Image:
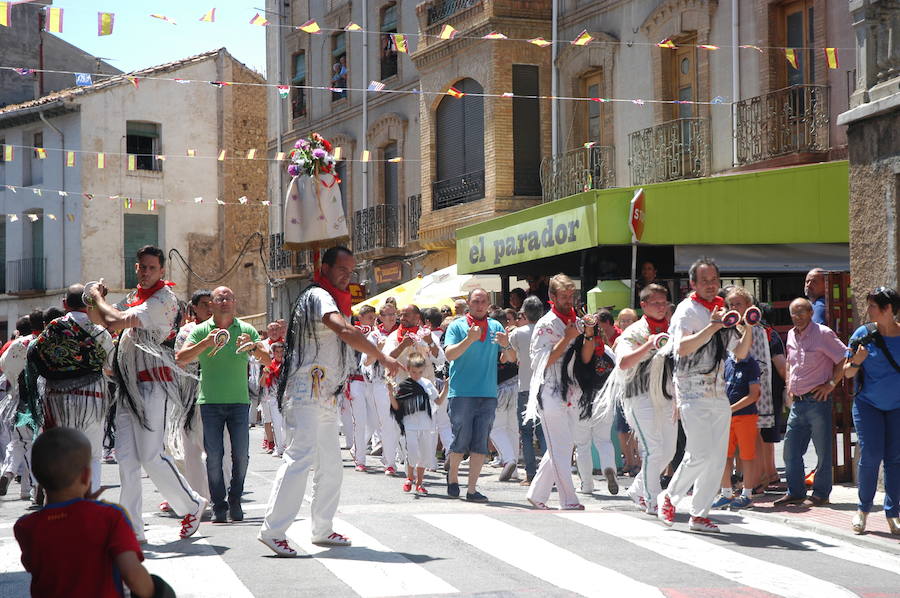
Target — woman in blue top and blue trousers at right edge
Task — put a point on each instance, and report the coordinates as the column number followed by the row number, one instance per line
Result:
column 872, row 361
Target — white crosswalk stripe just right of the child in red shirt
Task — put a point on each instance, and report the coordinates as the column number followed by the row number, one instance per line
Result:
column 196, row 570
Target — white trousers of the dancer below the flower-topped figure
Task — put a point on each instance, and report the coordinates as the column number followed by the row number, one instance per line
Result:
column 312, row 443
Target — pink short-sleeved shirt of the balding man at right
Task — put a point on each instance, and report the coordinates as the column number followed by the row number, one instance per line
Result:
column 811, row 357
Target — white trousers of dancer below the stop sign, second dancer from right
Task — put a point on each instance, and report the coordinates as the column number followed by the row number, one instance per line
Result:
column 657, row 435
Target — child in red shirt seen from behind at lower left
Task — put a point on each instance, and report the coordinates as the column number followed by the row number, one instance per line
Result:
column 77, row 546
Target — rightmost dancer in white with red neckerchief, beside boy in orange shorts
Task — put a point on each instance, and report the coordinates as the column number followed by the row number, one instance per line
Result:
column 700, row 346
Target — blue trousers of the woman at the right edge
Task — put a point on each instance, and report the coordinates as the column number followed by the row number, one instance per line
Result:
column 878, row 436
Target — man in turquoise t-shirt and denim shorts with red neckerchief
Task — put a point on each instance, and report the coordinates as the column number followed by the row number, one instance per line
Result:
column 471, row 346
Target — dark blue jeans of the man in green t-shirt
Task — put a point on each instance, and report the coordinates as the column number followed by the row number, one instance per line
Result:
column 215, row 418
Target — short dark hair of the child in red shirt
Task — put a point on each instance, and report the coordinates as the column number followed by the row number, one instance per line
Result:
column 58, row 457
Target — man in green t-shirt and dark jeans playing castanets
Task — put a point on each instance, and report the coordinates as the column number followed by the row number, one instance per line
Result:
column 224, row 397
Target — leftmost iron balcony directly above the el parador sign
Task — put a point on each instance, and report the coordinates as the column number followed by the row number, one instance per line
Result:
column 577, row 171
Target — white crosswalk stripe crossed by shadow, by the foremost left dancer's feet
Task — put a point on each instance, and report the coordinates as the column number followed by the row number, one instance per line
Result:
column 369, row 567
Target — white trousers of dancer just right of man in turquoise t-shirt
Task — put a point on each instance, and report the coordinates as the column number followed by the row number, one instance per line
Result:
column 558, row 421
